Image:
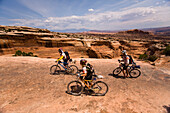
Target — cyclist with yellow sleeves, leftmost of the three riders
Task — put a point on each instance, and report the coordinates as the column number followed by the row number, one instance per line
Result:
column 62, row 56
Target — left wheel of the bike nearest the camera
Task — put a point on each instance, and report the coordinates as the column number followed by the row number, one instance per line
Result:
column 72, row 89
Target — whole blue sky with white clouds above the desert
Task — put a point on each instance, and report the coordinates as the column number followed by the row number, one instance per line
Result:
column 66, row 15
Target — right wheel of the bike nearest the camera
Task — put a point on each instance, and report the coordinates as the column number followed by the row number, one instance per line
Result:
column 96, row 88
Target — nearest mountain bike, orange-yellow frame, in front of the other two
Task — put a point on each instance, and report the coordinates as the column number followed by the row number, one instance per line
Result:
column 98, row 88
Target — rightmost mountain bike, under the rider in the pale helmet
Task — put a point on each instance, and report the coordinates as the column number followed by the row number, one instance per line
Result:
column 133, row 70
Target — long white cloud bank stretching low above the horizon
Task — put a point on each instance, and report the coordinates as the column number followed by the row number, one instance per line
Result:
column 110, row 20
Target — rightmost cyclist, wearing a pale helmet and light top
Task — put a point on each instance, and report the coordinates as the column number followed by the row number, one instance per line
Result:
column 125, row 60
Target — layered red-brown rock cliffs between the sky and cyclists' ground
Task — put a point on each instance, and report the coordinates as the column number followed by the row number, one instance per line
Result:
column 45, row 43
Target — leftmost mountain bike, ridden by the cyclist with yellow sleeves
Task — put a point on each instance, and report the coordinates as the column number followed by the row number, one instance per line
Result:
column 69, row 69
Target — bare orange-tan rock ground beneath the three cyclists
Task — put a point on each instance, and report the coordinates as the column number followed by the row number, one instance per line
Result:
column 26, row 86
